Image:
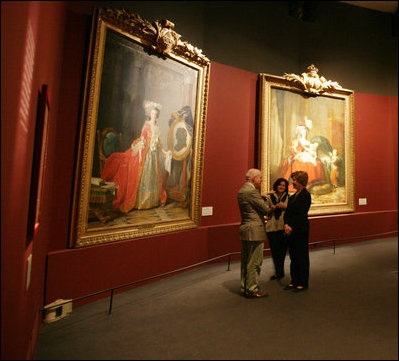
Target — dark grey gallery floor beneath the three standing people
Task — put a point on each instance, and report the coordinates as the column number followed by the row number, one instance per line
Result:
column 349, row 312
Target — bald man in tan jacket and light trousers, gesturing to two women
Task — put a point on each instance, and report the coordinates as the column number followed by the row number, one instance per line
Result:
column 253, row 208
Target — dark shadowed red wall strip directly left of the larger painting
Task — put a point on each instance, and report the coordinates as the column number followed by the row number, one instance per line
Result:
column 66, row 131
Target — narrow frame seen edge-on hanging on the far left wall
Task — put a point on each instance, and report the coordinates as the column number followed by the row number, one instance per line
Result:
column 38, row 164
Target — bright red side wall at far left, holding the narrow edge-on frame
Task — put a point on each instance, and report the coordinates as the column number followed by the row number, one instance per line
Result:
column 32, row 41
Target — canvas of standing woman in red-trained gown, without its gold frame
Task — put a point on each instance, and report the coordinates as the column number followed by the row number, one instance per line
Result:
column 133, row 81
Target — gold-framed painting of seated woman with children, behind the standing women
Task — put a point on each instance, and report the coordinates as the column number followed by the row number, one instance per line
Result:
column 306, row 123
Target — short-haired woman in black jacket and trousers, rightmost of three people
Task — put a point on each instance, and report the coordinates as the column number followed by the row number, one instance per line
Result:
column 296, row 228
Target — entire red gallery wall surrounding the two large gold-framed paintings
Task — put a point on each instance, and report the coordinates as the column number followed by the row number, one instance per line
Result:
column 59, row 34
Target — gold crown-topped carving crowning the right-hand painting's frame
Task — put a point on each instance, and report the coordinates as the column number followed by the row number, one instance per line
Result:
column 311, row 82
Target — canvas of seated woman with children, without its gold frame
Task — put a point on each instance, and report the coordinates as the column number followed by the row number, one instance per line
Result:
column 308, row 134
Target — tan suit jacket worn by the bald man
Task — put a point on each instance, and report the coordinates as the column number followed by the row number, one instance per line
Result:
column 252, row 209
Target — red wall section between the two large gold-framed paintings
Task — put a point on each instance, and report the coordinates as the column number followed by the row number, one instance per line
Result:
column 230, row 136
